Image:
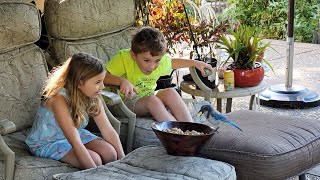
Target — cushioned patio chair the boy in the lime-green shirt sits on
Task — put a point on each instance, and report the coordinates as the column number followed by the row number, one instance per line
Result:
column 100, row 31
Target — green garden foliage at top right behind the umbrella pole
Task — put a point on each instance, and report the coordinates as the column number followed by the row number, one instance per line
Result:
column 270, row 17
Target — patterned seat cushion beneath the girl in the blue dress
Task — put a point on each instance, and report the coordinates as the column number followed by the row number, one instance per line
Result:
column 27, row 166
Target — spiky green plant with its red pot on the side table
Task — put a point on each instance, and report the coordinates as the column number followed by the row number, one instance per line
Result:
column 243, row 49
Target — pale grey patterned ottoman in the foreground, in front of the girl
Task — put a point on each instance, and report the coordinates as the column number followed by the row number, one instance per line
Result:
column 153, row 162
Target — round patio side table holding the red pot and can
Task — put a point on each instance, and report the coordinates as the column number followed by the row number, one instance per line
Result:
column 220, row 93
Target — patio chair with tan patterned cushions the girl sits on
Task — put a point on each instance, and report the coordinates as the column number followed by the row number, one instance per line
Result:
column 23, row 70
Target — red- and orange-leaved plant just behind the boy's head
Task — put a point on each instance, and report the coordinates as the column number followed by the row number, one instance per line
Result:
column 175, row 19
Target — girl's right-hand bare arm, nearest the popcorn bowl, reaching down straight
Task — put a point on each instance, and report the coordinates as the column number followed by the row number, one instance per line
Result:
column 108, row 132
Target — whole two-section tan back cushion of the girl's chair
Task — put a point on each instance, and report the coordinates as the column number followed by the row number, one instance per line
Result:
column 22, row 65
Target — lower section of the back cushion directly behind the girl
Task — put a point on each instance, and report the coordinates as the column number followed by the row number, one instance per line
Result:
column 20, row 89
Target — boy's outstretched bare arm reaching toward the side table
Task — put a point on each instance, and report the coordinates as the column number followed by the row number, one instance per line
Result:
column 178, row 63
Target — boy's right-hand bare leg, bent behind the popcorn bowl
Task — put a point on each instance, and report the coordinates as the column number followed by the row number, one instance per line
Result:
column 171, row 99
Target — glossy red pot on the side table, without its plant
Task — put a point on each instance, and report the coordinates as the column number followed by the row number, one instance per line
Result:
column 248, row 77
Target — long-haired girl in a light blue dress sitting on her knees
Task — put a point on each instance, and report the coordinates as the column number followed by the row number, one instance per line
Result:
column 70, row 95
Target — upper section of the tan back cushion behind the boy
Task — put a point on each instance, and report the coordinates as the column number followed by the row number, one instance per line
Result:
column 81, row 19
